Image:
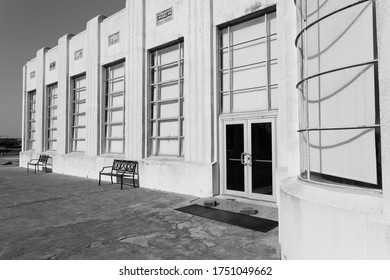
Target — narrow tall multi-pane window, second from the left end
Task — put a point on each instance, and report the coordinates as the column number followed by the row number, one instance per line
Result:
column 52, row 117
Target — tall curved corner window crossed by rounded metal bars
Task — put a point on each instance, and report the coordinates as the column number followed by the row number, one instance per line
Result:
column 338, row 91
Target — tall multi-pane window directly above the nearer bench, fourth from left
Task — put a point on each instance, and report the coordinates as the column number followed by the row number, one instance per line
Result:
column 114, row 113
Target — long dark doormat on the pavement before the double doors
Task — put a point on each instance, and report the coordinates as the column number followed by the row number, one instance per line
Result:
column 231, row 218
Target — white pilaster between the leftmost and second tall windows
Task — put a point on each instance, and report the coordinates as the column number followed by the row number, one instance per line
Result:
column 40, row 132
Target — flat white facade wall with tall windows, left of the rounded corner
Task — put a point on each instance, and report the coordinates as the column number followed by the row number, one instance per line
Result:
column 196, row 22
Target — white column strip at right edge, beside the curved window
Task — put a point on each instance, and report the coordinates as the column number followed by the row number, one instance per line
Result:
column 383, row 33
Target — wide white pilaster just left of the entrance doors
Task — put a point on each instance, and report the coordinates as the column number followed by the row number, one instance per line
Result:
column 198, row 88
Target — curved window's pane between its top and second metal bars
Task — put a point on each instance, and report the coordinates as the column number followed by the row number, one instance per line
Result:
column 342, row 39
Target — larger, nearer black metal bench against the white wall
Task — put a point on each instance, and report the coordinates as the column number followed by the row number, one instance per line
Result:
column 121, row 169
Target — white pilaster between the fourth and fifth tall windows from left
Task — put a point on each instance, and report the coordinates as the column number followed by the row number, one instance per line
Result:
column 135, row 78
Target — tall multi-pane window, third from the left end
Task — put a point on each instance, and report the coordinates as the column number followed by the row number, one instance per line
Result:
column 78, row 114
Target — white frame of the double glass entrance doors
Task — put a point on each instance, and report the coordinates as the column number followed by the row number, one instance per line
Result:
column 247, row 121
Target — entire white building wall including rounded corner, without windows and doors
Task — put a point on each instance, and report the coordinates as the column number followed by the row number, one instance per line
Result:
column 316, row 221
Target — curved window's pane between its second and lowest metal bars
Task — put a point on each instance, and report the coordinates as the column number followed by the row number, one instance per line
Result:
column 344, row 98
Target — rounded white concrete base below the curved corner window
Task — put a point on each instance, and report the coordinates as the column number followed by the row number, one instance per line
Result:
column 327, row 222
